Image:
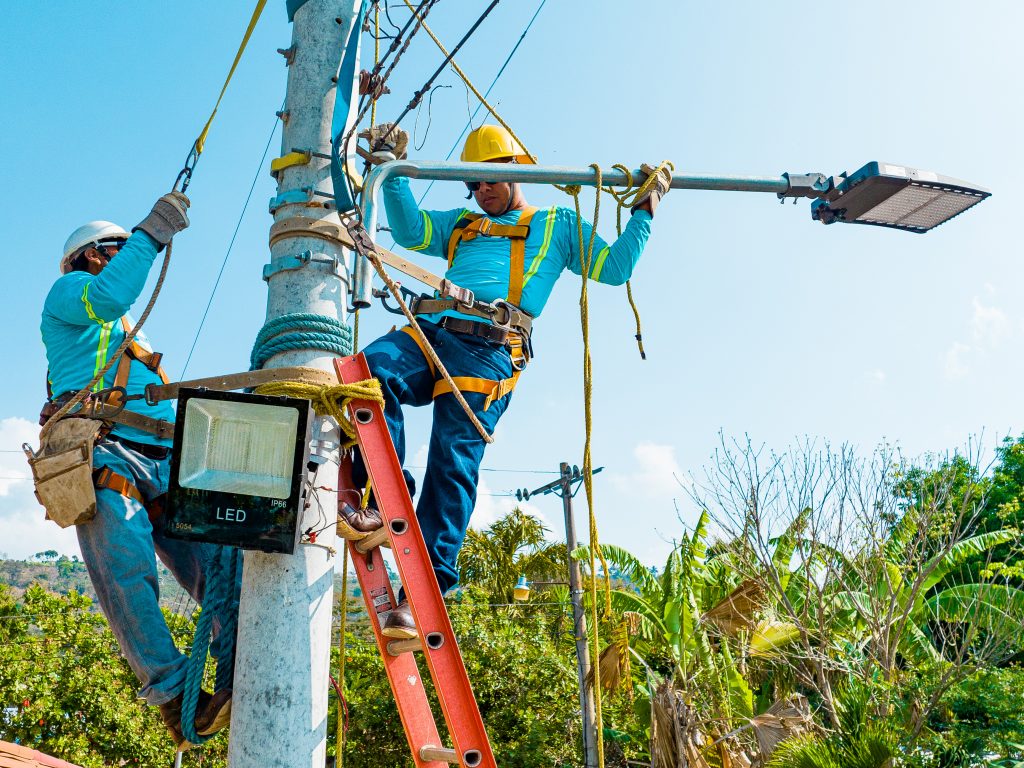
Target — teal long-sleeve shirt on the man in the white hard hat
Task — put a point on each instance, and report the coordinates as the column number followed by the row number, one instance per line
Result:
column 81, row 328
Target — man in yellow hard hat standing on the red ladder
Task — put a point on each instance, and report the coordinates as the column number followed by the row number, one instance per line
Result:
column 510, row 258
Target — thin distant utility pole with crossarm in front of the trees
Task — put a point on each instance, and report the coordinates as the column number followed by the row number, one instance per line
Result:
column 564, row 488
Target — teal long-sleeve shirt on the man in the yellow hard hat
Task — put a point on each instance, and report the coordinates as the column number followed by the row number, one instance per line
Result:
column 483, row 265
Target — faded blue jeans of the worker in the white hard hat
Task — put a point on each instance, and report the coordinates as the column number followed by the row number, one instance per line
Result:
column 120, row 548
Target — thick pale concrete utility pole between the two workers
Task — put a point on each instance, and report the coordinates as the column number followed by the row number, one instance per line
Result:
column 280, row 710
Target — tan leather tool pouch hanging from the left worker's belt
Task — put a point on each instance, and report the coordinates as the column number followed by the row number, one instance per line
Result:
column 63, row 472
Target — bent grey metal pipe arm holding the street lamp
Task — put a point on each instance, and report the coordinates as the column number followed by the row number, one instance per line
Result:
column 786, row 186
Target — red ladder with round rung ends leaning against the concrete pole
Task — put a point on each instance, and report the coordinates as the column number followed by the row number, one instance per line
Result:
column 437, row 641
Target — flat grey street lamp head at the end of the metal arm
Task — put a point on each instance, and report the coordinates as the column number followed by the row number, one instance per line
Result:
column 898, row 197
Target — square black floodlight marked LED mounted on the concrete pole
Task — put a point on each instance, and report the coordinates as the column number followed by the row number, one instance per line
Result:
column 238, row 468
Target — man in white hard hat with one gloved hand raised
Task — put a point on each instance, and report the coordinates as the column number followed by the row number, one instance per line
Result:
column 86, row 320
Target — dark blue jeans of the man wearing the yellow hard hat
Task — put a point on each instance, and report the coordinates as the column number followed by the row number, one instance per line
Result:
column 456, row 448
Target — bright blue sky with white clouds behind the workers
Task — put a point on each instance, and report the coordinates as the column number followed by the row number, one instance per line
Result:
column 757, row 321
